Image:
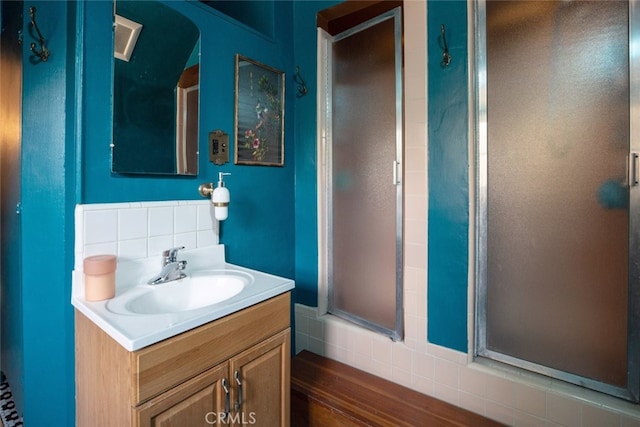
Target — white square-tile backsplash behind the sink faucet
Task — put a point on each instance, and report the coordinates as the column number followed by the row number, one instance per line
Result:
column 142, row 229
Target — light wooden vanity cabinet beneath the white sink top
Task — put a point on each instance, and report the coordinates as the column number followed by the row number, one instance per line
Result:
column 240, row 363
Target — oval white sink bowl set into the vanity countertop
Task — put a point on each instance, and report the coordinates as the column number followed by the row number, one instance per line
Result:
column 199, row 289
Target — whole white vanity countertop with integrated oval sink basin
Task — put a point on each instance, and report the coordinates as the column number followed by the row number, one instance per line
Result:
column 141, row 314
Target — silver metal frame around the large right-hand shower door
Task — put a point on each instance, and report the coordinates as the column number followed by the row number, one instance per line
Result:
column 479, row 139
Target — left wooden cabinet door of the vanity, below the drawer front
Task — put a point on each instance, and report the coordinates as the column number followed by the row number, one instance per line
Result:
column 197, row 402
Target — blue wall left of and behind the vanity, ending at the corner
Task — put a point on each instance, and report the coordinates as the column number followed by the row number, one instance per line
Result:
column 66, row 160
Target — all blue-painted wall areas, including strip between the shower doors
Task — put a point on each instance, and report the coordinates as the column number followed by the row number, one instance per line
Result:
column 272, row 224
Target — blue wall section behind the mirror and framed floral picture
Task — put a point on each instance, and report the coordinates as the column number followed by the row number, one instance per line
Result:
column 260, row 230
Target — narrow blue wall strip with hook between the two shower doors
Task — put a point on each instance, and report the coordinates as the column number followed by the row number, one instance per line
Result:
column 448, row 170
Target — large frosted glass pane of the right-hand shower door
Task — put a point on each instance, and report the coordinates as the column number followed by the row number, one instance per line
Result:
column 555, row 209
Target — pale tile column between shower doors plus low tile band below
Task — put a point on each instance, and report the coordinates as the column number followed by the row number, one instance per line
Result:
column 512, row 397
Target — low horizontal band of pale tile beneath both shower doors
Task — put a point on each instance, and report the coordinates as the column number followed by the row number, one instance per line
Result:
column 511, row 397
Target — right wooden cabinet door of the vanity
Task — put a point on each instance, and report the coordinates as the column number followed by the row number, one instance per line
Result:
column 260, row 380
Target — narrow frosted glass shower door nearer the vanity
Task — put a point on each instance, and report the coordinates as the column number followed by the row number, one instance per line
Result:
column 364, row 230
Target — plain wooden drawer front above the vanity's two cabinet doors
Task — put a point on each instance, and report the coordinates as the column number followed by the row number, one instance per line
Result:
column 170, row 362
